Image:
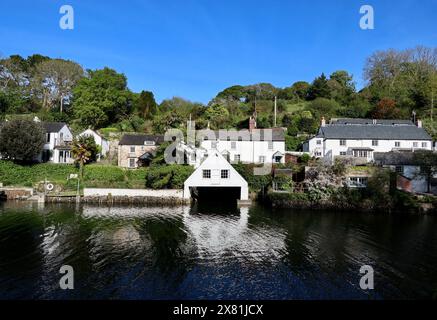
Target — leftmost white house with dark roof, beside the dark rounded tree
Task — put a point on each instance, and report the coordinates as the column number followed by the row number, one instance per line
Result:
column 57, row 148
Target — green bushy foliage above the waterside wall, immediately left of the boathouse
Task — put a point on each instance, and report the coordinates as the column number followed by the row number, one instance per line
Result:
column 168, row 176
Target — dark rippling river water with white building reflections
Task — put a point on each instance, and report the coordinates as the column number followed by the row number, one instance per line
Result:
column 213, row 252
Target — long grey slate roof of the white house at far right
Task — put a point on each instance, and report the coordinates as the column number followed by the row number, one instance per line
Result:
column 384, row 130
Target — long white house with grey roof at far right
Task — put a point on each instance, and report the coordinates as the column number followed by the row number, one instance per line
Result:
column 361, row 138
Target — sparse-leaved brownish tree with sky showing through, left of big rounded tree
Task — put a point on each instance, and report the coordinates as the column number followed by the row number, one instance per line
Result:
column 55, row 79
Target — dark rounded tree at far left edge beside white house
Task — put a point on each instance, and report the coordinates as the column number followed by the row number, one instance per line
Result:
column 21, row 140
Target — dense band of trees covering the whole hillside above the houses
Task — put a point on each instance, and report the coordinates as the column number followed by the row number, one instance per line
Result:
column 398, row 82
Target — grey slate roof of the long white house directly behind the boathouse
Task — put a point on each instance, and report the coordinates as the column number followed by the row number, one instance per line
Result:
column 277, row 134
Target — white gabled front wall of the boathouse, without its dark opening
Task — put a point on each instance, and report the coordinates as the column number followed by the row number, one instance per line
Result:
column 216, row 172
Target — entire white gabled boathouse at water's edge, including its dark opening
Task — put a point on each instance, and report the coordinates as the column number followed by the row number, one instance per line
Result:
column 216, row 176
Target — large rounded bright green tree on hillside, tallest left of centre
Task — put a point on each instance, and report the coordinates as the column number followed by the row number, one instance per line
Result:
column 105, row 93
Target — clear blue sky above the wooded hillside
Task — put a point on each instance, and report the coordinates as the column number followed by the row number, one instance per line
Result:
column 194, row 49
